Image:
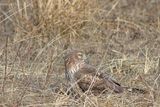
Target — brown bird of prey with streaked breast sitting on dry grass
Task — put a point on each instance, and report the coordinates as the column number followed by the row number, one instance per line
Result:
column 80, row 74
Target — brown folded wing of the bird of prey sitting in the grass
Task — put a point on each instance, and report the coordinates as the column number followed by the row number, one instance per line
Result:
column 89, row 78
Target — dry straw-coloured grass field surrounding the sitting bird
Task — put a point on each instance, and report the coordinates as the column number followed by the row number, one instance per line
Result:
column 120, row 37
